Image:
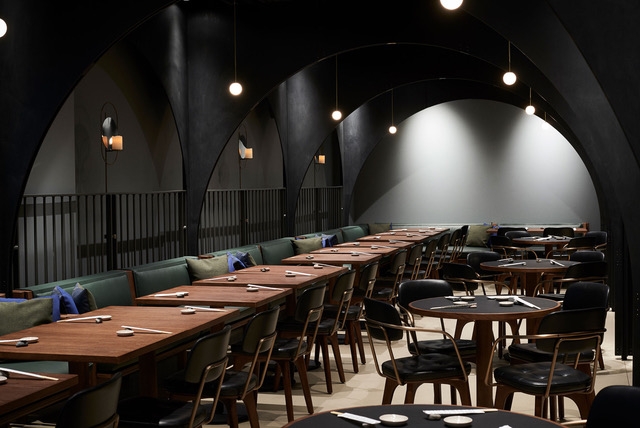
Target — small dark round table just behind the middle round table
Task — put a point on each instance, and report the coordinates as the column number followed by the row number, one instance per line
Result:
column 529, row 271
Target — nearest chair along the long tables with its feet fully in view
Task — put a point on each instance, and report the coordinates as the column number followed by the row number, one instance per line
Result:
column 296, row 336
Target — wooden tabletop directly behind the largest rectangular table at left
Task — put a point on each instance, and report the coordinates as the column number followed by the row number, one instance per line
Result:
column 215, row 296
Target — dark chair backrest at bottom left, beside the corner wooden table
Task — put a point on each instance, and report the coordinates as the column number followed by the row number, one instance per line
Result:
column 93, row 407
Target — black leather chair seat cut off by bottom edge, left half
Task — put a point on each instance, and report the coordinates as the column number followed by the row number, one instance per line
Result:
column 149, row 411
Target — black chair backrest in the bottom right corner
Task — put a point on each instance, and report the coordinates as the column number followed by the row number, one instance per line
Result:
column 614, row 406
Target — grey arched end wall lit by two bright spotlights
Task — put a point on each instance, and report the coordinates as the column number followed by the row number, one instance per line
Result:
column 475, row 161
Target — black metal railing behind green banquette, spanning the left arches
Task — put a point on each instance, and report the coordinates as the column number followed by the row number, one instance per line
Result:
column 65, row 236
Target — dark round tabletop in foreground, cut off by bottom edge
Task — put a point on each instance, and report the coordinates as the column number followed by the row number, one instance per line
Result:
column 417, row 418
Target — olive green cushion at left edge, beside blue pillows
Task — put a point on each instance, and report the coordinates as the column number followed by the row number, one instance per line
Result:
column 18, row 316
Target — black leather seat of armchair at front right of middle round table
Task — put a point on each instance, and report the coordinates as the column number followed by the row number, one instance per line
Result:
column 531, row 378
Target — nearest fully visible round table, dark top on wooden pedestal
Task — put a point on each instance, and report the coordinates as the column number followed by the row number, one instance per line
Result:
column 487, row 311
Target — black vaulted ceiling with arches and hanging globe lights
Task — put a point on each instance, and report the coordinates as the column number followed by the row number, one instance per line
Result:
column 579, row 57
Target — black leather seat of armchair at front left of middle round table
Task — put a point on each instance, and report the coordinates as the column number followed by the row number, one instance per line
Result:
column 425, row 367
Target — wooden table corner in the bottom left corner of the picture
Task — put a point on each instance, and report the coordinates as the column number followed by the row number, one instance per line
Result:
column 22, row 395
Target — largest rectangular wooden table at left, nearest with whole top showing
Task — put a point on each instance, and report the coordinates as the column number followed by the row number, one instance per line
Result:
column 84, row 344
